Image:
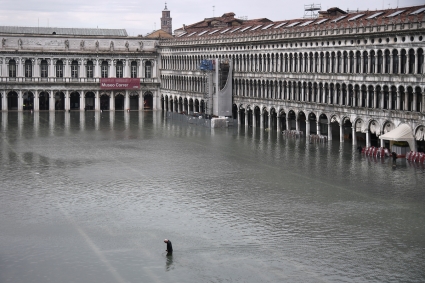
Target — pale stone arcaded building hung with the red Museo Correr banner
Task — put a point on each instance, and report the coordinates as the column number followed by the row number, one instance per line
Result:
column 61, row 69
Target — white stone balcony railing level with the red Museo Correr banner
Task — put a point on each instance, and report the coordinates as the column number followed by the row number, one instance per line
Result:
column 64, row 80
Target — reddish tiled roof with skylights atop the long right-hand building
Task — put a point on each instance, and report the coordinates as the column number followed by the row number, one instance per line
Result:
column 227, row 25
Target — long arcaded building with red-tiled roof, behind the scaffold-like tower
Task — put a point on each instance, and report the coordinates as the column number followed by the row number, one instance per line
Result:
column 343, row 75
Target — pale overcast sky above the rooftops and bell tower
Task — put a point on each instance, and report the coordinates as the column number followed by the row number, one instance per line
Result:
column 142, row 16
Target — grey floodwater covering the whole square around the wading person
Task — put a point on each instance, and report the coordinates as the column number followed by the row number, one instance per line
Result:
column 90, row 197
